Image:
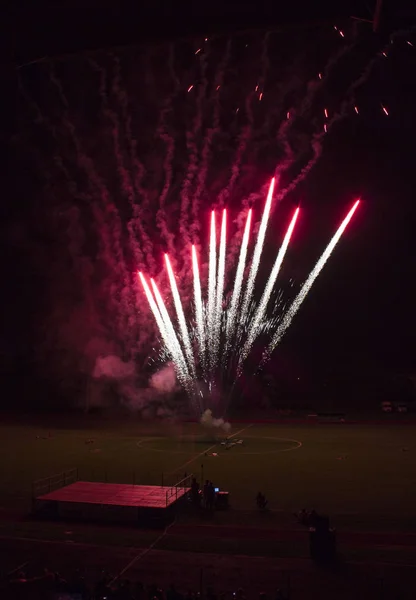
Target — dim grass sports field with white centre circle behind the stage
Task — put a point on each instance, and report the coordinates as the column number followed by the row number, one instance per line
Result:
column 339, row 469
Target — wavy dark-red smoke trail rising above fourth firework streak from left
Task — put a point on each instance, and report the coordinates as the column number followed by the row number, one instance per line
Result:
column 206, row 148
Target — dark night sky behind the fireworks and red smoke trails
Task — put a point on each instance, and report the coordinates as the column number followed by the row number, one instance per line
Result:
column 358, row 322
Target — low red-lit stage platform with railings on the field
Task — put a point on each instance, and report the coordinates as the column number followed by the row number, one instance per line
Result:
column 146, row 505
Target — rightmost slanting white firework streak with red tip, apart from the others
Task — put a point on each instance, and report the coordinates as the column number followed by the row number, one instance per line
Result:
column 297, row 303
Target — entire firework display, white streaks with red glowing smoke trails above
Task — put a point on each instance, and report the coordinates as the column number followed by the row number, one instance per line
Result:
column 171, row 160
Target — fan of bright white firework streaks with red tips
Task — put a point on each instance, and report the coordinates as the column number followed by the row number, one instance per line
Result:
column 210, row 348
